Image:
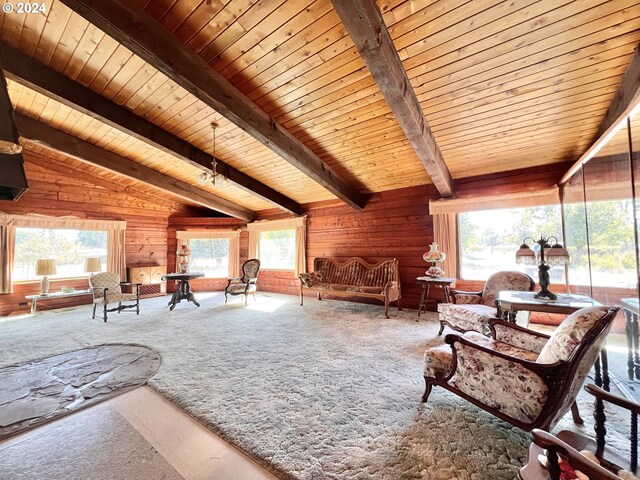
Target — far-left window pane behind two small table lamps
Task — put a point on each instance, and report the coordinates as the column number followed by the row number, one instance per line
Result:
column 69, row 248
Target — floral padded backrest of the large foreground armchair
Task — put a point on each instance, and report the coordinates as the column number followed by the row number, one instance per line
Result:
column 570, row 333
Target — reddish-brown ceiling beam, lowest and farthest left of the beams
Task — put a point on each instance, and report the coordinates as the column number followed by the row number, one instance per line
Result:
column 81, row 150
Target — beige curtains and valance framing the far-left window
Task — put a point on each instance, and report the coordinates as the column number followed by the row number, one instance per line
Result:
column 116, row 258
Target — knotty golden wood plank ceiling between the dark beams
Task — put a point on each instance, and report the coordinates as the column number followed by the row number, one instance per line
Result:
column 503, row 84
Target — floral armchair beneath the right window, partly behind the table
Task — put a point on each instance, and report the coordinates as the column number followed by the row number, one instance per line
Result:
column 473, row 310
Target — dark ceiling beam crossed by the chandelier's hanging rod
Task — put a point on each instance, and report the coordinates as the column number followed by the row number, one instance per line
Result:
column 31, row 73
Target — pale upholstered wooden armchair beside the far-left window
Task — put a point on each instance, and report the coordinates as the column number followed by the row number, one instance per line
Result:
column 106, row 288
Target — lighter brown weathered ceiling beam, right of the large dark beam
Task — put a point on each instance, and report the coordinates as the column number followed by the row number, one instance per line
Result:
column 367, row 29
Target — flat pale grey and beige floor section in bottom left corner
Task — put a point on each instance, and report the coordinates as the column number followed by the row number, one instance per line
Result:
column 136, row 435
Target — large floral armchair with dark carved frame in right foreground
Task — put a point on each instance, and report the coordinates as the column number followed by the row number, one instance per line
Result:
column 523, row 377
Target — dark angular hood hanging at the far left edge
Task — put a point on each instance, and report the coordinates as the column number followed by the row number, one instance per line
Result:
column 13, row 181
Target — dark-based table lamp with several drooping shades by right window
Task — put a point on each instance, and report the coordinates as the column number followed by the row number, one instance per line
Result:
column 549, row 254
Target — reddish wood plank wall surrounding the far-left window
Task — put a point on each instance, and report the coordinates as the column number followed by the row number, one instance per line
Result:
column 58, row 189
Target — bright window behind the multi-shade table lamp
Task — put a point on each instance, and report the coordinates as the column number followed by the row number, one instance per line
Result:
column 489, row 239
